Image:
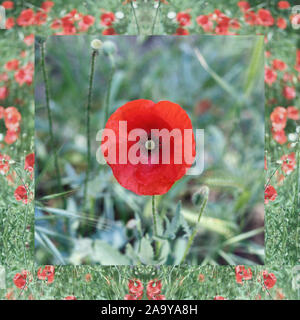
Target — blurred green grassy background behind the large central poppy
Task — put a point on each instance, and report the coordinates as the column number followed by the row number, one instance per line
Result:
column 223, row 94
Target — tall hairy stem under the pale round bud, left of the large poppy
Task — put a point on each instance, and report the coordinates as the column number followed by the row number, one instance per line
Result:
column 88, row 129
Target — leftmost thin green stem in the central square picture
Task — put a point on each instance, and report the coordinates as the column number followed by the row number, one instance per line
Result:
column 47, row 95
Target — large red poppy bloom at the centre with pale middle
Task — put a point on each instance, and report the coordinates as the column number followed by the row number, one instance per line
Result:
column 148, row 173
